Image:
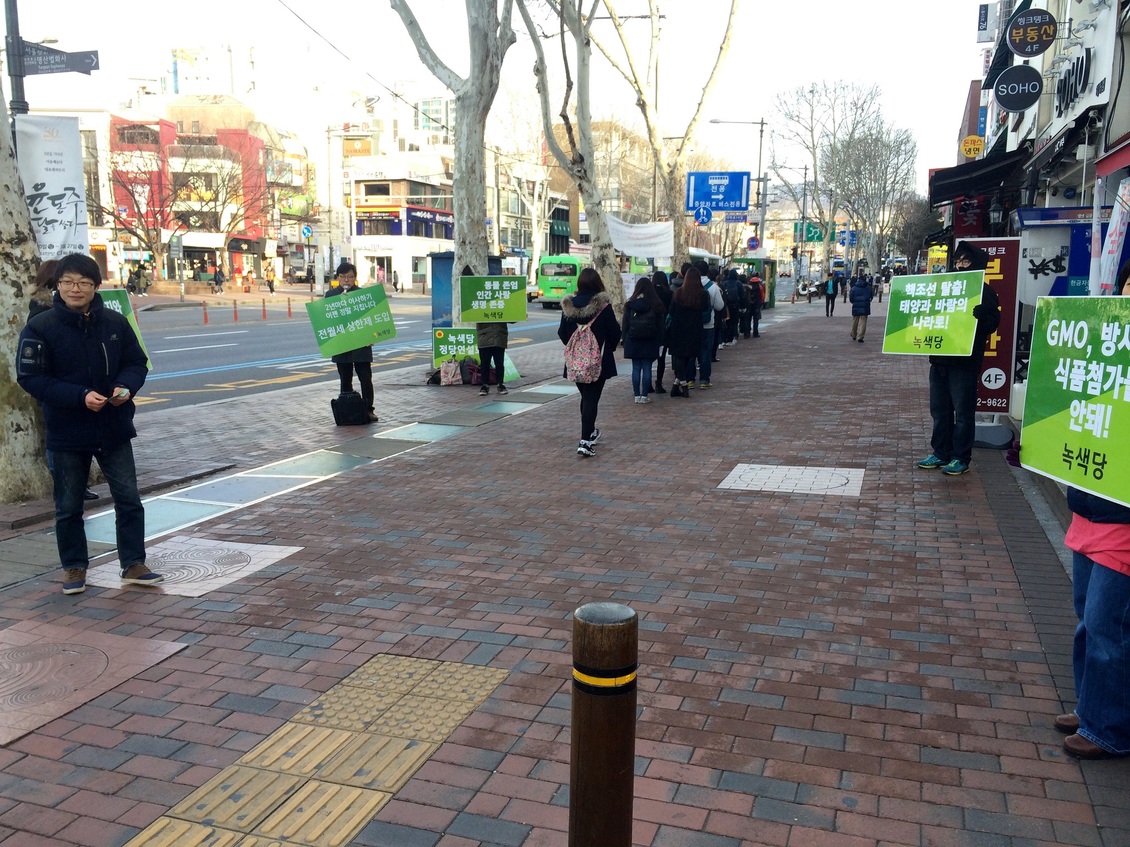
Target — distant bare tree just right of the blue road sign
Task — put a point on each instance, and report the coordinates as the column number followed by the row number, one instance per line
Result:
column 820, row 121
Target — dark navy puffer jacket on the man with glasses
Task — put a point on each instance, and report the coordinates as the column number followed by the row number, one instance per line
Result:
column 64, row 355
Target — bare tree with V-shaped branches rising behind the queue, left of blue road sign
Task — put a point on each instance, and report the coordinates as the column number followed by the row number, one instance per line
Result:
column 671, row 160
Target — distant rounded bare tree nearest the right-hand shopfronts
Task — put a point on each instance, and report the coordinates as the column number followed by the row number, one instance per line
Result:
column 874, row 174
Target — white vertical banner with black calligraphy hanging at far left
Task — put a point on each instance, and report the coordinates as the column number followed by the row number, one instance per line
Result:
column 50, row 160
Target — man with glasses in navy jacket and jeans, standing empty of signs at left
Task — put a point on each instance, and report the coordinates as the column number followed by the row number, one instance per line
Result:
column 84, row 364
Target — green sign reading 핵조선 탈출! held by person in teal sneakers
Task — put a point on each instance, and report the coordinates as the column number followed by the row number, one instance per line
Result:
column 933, row 315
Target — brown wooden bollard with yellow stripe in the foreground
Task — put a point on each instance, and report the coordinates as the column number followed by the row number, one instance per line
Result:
column 606, row 642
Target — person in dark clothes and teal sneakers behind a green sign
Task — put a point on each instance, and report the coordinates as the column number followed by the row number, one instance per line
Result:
column 954, row 379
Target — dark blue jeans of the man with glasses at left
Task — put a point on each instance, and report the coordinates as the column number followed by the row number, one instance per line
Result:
column 72, row 473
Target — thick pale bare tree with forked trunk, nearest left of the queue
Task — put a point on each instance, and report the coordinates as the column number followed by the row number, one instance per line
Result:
column 490, row 38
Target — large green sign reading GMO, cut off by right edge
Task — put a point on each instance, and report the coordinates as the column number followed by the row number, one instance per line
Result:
column 1077, row 408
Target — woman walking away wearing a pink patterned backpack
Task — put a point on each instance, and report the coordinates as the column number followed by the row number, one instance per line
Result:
column 590, row 308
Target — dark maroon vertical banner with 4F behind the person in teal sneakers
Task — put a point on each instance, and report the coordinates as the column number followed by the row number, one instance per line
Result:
column 1003, row 275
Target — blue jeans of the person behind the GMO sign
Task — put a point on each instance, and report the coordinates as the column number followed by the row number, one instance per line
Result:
column 1102, row 654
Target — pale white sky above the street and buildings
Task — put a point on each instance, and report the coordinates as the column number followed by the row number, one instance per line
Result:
column 314, row 60
